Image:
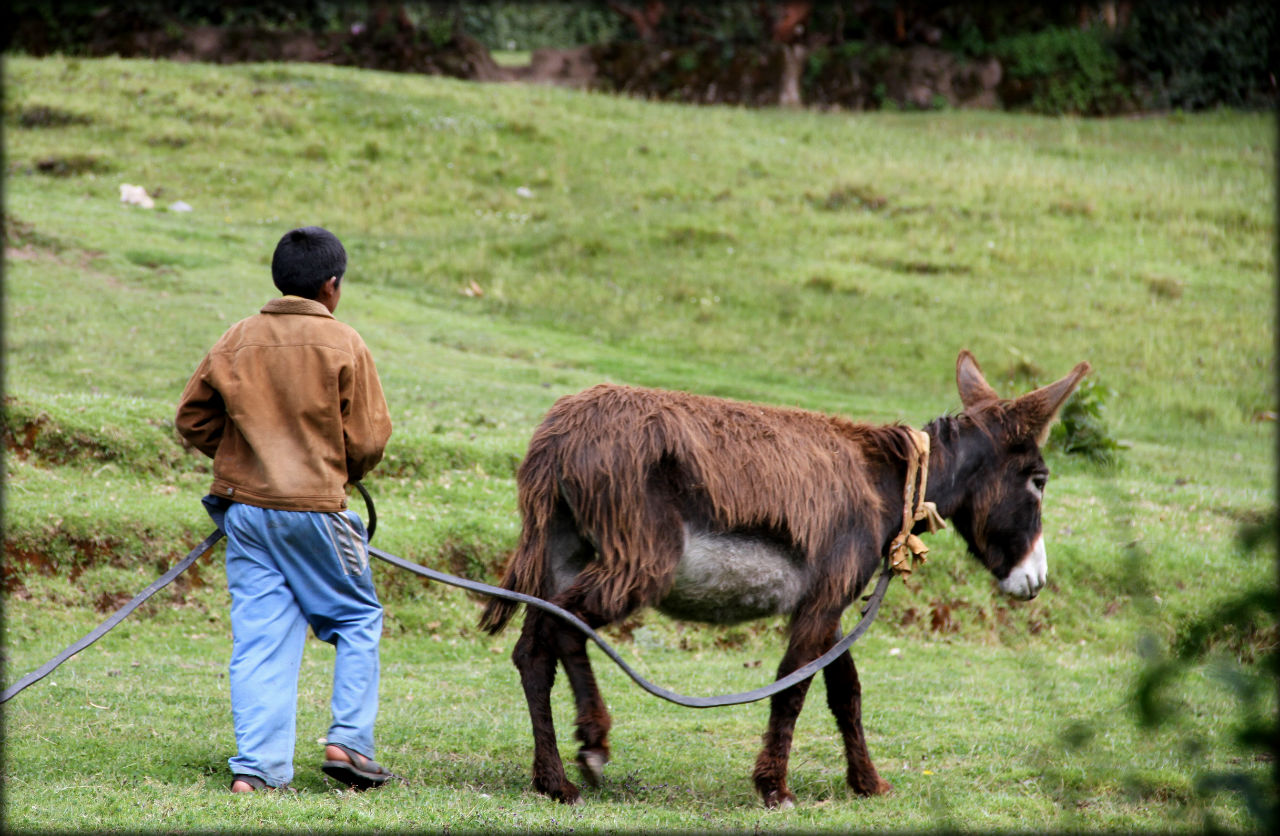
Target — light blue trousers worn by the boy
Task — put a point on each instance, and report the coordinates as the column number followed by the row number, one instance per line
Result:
column 287, row 570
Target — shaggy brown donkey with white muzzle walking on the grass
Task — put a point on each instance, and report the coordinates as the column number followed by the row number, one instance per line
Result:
column 723, row 511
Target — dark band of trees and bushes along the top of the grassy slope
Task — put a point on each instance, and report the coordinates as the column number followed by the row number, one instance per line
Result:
column 1080, row 58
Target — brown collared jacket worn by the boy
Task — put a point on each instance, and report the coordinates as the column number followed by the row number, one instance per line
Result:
column 290, row 408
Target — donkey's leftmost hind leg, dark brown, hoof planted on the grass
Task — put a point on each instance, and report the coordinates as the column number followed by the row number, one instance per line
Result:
column 536, row 660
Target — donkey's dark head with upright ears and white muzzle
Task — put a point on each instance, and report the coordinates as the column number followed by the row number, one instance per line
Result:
column 991, row 476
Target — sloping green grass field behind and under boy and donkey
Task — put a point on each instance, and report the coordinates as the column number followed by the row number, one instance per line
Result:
column 511, row 245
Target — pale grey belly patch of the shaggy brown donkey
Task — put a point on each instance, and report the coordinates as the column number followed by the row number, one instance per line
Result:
column 732, row 578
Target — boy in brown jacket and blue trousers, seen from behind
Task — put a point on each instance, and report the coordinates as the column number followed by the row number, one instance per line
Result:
column 290, row 408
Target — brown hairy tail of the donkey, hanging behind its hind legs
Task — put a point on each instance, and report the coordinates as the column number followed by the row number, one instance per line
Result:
column 527, row 568
